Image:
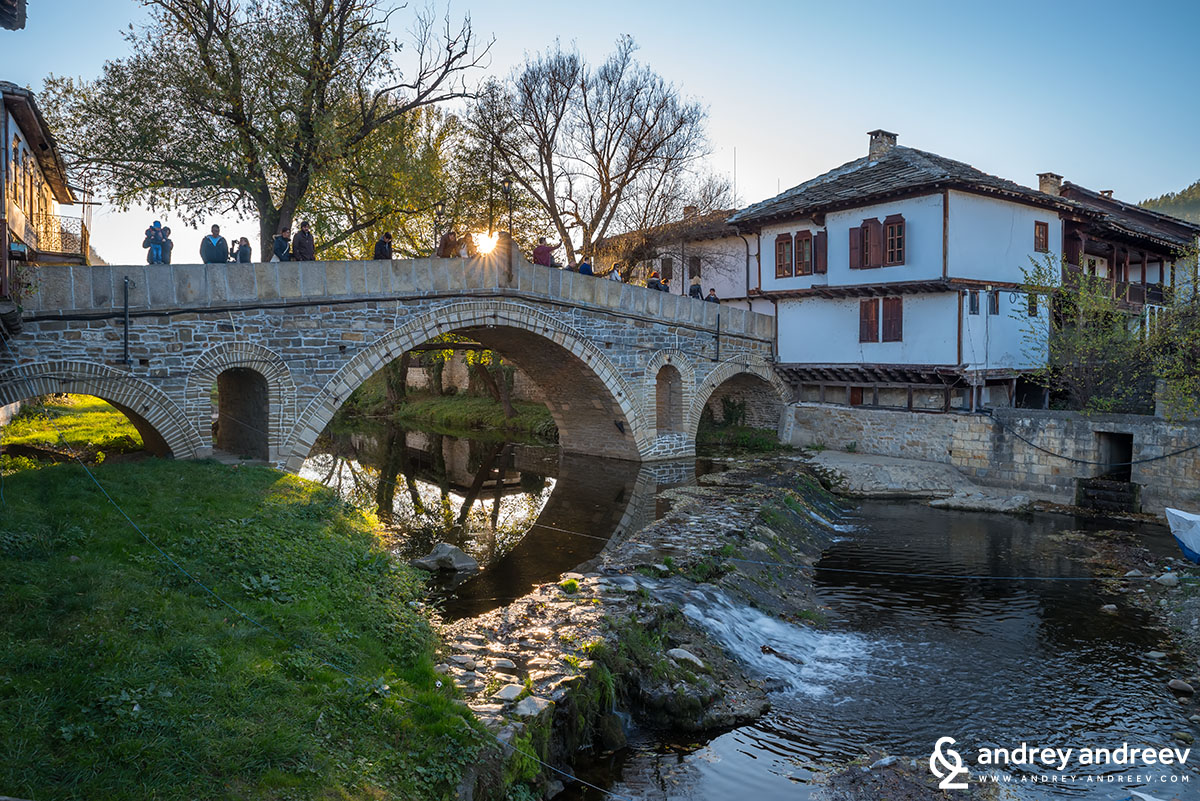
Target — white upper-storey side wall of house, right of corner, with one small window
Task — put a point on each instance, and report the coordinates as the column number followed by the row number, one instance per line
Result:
column 993, row 240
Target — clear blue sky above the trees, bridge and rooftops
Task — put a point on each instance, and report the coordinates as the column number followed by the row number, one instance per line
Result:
column 1107, row 94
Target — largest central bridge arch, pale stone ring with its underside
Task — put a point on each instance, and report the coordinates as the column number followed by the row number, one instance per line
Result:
column 587, row 395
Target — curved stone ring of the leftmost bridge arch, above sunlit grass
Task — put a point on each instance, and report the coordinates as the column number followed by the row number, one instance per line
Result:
column 163, row 425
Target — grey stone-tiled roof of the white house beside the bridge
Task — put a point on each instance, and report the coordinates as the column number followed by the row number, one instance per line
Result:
column 899, row 171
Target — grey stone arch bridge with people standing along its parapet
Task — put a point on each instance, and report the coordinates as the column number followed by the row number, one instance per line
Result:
column 275, row 350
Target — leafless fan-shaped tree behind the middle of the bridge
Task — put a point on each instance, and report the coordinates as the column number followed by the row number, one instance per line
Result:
column 598, row 148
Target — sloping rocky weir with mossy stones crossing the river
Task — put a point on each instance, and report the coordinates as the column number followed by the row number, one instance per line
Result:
column 574, row 665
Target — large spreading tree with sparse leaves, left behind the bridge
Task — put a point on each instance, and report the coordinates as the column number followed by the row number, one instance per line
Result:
column 229, row 107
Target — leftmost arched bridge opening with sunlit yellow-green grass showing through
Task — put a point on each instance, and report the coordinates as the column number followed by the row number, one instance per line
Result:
column 69, row 426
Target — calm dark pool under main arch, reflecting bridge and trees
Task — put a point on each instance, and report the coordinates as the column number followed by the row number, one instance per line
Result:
column 563, row 509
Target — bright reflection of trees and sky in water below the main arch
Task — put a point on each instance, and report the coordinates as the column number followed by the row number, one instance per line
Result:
column 424, row 501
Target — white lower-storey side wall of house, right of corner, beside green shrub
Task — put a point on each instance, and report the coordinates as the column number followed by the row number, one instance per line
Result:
column 1000, row 341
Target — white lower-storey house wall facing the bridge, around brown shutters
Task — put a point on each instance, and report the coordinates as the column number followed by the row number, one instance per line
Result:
column 826, row 332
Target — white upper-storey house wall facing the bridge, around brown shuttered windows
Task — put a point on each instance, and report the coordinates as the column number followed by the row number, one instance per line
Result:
column 923, row 245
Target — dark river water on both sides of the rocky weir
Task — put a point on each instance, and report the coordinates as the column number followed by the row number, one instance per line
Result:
column 911, row 652
